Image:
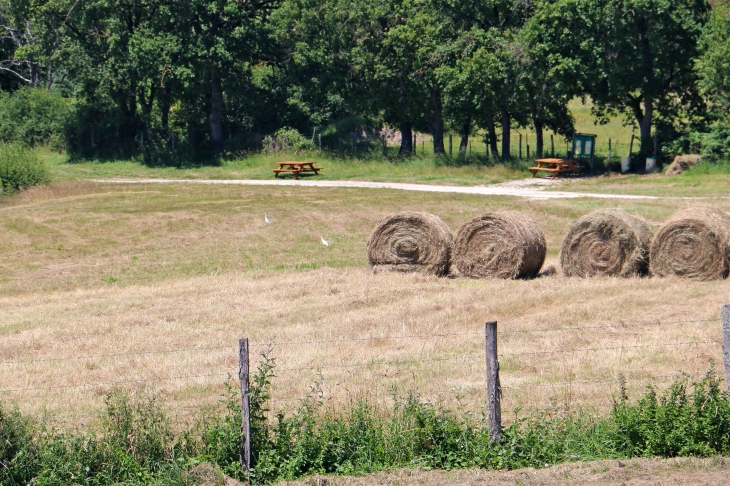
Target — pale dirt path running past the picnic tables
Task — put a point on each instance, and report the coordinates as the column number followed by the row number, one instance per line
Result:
column 528, row 188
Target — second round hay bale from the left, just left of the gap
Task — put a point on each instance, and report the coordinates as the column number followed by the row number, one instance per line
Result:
column 503, row 244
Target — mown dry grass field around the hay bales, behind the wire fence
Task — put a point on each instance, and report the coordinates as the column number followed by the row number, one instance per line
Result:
column 150, row 287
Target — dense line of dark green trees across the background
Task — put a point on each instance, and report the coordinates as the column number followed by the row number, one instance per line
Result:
column 206, row 75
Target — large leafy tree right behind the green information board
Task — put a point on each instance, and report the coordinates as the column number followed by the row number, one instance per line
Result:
column 636, row 56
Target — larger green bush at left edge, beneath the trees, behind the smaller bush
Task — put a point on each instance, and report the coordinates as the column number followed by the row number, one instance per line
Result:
column 34, row 117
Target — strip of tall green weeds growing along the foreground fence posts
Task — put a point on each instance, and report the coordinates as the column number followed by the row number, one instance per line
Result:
column 135, row 444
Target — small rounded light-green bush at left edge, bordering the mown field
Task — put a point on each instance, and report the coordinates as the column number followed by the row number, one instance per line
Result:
column 20, row 168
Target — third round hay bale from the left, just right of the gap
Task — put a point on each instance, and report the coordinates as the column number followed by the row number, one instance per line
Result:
column 608, row 242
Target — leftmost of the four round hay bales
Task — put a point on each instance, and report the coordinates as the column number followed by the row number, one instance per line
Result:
column 411, row 242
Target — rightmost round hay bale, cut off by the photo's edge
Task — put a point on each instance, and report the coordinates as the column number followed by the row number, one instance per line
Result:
column 693, row 243
